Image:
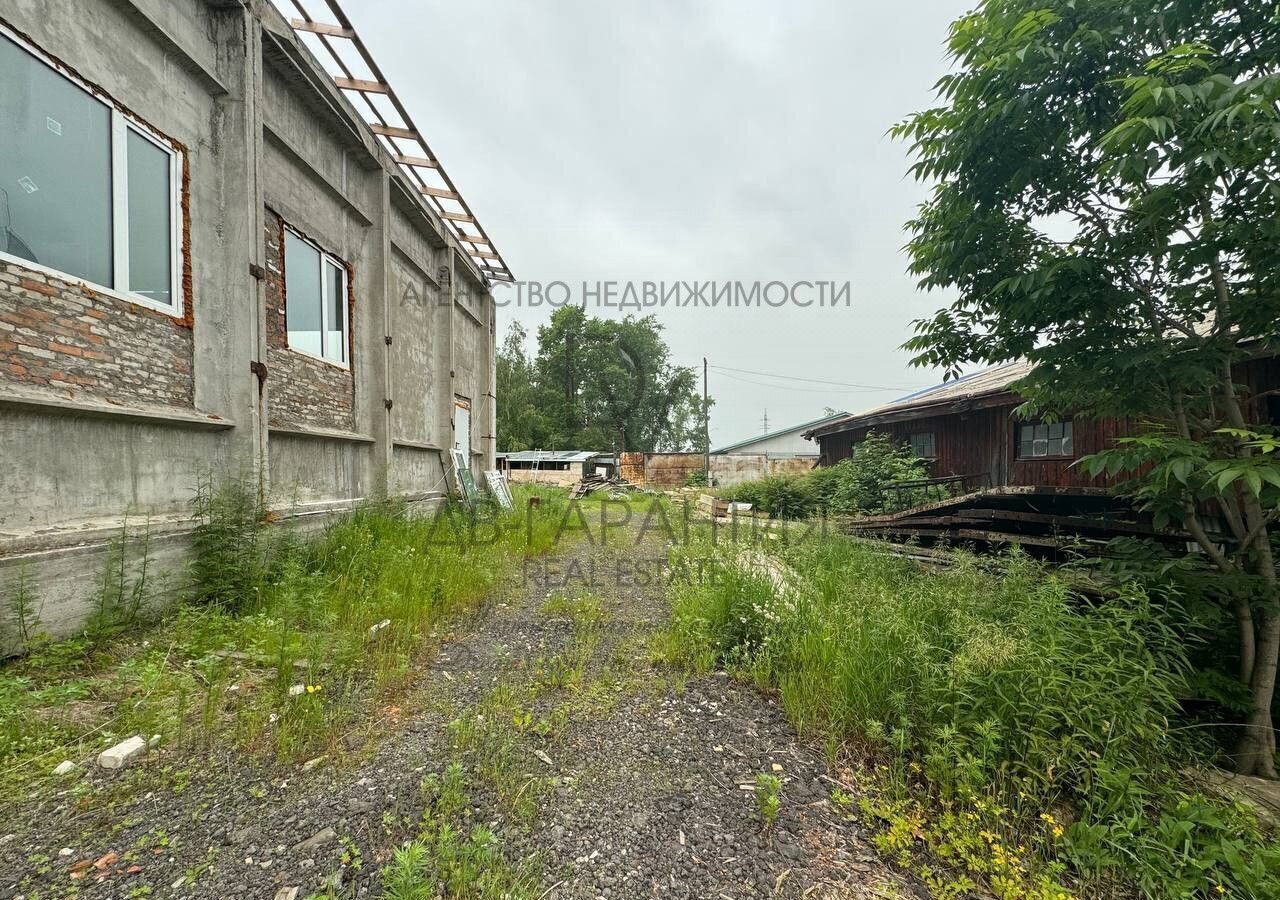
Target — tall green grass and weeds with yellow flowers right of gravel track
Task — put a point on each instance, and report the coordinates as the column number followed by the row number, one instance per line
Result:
column 1002, row 732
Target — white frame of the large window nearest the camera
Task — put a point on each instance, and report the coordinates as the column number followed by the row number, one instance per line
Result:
column 121, row 126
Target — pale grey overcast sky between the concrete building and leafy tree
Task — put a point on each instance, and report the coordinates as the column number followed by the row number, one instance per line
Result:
column 698, row 140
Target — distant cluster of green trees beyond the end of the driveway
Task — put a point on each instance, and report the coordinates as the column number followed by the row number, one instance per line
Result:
column 597, row 385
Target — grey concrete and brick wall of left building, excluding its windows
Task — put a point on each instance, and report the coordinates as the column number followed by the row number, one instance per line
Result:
column 109, row 410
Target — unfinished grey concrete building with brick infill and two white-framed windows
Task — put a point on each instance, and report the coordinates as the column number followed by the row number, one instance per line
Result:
column 212, row 263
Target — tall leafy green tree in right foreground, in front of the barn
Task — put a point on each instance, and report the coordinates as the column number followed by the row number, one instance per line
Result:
column 1107, row 204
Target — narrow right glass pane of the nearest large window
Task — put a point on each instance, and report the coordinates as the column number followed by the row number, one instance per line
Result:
column 150, row 229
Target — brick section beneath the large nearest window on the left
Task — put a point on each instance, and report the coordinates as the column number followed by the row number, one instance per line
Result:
column 62, row 335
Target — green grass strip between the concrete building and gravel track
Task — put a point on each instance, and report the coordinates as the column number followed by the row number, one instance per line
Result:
column 268, row 609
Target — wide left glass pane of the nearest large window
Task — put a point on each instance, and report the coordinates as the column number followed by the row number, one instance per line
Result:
column 56, row 170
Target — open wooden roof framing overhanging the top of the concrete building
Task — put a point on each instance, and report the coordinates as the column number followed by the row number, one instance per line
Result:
column 353, row 68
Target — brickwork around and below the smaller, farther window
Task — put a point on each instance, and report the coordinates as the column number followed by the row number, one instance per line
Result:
column 305, row 392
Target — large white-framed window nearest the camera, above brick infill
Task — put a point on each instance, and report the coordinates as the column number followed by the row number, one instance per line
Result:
column 85, row 191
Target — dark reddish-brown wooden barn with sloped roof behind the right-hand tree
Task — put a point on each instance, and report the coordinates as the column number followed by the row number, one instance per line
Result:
column 1000, row 479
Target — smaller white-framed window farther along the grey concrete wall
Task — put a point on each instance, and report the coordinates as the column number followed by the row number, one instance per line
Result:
column 316, row 300
